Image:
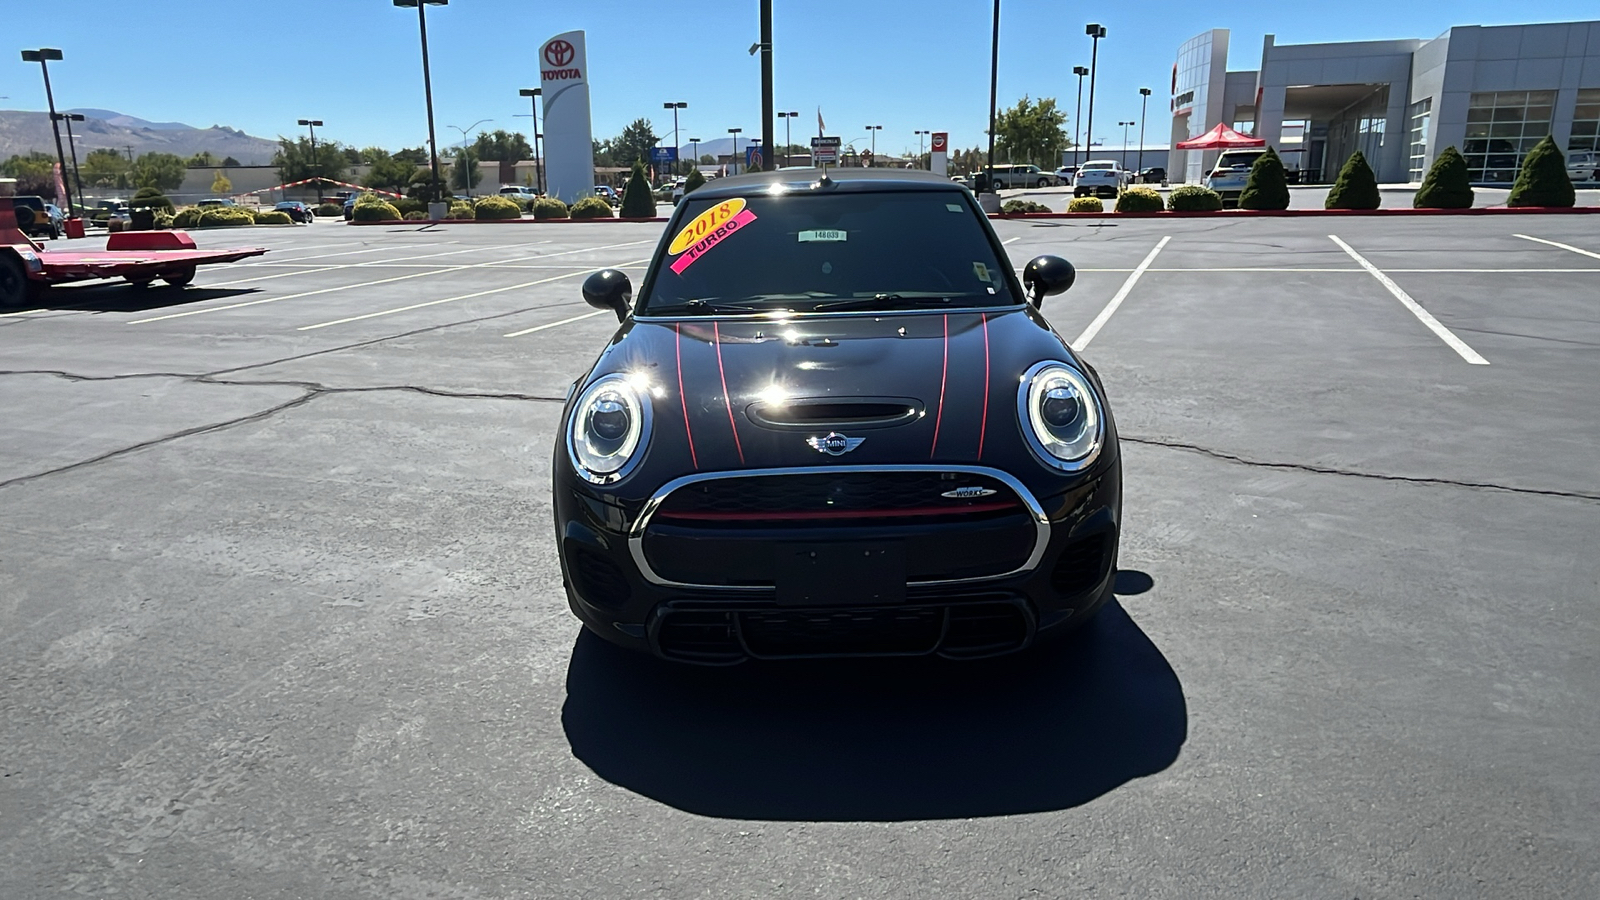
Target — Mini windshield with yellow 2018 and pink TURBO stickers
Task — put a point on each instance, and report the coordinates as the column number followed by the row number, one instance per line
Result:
column 809, row 252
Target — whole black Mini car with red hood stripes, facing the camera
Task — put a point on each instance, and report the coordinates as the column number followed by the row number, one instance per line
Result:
column 833, row 424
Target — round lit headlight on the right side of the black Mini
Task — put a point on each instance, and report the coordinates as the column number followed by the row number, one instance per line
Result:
column 1062, row 416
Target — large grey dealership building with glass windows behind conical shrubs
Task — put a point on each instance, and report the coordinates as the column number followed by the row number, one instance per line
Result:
column 1492, row 92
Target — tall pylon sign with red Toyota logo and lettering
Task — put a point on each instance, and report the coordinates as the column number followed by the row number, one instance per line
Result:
column 569, row 137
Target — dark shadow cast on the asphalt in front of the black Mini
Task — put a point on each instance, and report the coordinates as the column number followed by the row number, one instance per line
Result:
column 882, row 741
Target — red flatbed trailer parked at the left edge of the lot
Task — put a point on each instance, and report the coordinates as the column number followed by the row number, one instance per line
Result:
column 138, row 257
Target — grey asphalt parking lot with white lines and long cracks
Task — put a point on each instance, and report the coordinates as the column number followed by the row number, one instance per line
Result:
column 281, row 613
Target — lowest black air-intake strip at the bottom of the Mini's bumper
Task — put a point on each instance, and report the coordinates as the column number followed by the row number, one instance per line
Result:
column 975, row 627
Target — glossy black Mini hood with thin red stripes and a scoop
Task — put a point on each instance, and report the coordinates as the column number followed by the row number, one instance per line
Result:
column 721, row 387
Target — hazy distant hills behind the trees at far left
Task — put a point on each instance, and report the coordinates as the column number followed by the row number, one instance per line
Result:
column 23, row 132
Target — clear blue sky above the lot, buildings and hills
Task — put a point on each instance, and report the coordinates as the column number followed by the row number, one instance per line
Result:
column 905, row 65
